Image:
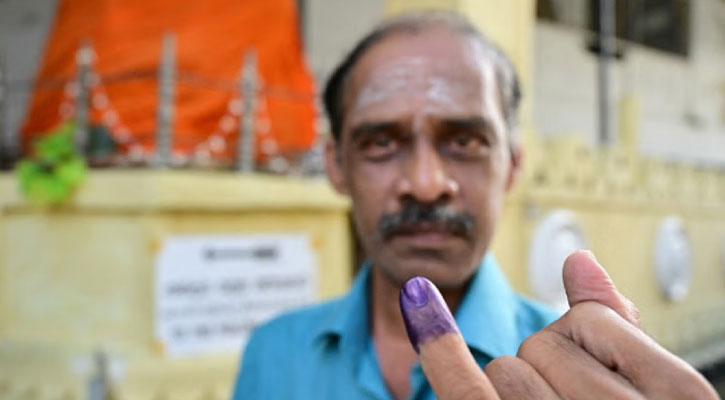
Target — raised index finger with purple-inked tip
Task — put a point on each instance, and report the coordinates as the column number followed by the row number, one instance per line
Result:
column 448, row 364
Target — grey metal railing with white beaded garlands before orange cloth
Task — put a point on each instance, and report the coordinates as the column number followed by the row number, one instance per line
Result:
column 247, row 92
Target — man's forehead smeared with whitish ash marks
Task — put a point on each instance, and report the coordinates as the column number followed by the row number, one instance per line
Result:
column 434, row 67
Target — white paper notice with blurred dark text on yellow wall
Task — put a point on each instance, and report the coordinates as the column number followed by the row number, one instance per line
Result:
column 211, row 291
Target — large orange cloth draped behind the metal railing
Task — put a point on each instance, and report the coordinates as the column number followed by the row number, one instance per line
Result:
column 211, row 39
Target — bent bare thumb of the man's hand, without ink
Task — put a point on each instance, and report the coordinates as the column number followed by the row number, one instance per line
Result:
column 586, row 280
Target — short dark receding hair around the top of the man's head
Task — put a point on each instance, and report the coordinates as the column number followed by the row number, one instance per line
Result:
column 413, row 23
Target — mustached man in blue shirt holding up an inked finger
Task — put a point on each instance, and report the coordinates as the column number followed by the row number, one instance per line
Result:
column 423, row 114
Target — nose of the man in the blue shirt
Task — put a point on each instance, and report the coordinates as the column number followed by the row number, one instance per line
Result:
column 426, row 178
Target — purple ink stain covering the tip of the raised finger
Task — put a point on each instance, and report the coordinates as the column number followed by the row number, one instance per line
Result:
column 425, row 313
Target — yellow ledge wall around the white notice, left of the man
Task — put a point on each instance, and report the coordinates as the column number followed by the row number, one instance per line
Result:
column 80, row 278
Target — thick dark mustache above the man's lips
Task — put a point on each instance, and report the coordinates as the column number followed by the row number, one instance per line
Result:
column 413, row 214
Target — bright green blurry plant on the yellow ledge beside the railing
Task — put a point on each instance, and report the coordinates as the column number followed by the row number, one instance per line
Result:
column 54, row 171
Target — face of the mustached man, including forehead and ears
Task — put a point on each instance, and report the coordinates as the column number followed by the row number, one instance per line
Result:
column 424, row 155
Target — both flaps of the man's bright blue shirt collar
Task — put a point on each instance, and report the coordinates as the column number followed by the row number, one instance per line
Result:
column 486, row 316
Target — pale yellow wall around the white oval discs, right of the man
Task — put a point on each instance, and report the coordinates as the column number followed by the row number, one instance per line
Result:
column 620, row 203
